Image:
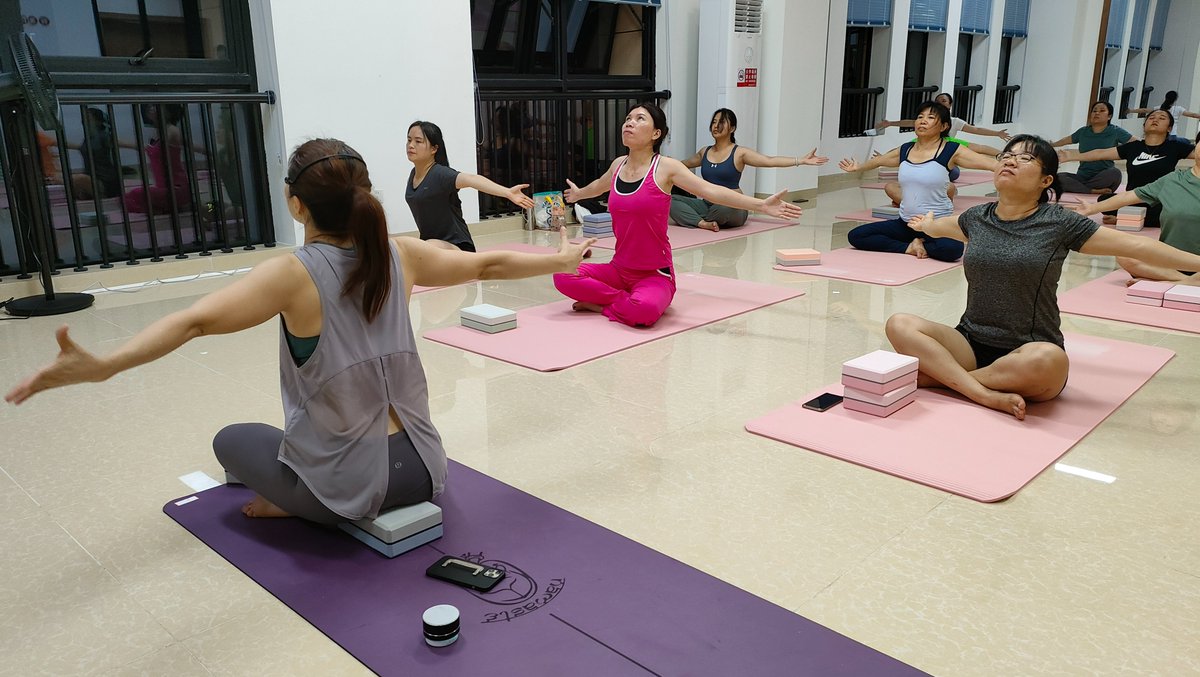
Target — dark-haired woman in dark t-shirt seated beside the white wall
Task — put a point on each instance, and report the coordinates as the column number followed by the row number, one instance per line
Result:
column 433, row 189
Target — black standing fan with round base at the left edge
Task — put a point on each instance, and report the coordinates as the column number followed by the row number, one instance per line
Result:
column 40, row 103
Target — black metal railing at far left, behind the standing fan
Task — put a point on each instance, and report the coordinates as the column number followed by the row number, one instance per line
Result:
column 134, row 177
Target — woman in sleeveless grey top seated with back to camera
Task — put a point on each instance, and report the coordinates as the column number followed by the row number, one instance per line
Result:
column 358, row 438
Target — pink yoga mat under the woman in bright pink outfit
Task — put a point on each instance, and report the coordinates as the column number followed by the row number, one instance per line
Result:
column 554, row 337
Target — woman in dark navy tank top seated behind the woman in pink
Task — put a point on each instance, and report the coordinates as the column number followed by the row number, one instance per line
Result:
column 723, row 164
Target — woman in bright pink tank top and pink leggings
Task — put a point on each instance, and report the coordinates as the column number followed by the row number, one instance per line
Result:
column 639, row 285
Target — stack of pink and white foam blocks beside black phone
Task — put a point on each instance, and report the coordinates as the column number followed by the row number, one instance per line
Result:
column 879, row 384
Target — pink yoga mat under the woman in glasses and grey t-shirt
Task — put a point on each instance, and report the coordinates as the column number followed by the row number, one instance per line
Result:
column 951, row 444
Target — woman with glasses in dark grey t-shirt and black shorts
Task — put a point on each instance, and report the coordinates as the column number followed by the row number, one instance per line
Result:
column 1009, row 348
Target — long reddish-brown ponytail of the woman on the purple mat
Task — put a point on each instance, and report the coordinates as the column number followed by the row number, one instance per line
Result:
column 368, row 227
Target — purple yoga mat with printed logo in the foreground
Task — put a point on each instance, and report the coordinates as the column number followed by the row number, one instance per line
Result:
column 579, row 600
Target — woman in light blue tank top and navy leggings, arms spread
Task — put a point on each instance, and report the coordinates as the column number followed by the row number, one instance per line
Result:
column 925, row 166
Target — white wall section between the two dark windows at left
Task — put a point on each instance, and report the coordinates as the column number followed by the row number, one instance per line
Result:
column 362, row 73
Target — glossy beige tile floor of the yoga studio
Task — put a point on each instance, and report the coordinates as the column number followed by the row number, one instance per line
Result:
column 1071, row 577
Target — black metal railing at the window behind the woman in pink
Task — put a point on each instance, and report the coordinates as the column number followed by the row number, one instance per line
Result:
column 545, row 139
